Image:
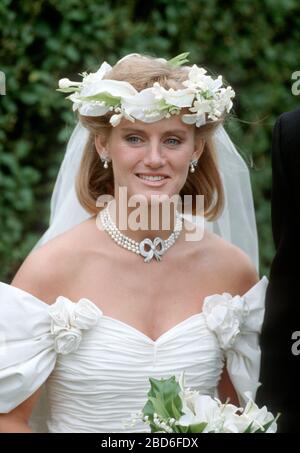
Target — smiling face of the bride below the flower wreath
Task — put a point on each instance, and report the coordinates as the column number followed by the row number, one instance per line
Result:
column 163, row 148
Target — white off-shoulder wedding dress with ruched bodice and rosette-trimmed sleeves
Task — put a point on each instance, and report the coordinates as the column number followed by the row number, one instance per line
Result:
column 94, row 369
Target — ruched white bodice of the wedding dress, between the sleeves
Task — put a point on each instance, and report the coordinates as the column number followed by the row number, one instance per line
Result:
column 107, row 378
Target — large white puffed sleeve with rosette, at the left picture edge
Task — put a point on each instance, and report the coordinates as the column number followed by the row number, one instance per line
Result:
column 32, row 333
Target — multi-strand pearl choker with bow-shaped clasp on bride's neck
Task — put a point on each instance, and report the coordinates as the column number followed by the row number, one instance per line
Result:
column 157, row 247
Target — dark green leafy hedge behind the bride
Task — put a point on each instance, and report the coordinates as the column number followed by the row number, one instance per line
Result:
column 254, row 44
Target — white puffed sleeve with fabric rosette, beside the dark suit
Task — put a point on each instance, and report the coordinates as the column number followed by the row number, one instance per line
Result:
column 237, row 322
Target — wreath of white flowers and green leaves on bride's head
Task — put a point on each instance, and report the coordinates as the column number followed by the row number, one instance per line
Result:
column 203, row 95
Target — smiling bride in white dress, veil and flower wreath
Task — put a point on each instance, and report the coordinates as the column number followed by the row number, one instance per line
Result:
column 98, row 307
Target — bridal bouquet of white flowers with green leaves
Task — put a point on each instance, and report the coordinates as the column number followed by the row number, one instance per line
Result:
column 172, row 408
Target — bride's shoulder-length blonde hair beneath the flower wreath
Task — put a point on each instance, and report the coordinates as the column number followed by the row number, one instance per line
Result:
column 93, row 180
